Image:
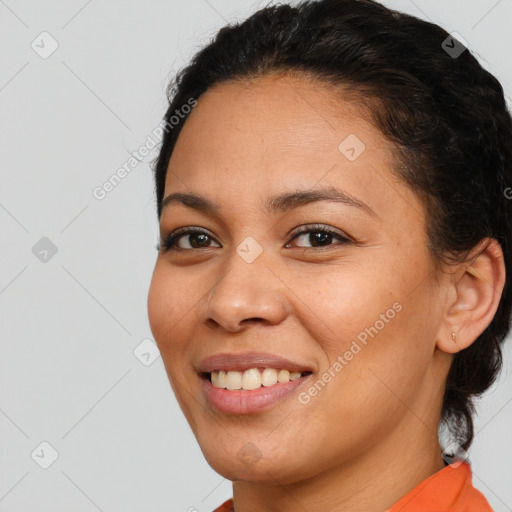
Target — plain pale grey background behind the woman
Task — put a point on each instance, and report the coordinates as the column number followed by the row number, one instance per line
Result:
column 71, row 326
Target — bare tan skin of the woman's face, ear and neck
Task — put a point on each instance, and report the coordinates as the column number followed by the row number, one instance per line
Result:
column 370, row 435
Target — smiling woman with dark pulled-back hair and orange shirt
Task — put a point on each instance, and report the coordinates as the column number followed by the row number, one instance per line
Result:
column 330, row 291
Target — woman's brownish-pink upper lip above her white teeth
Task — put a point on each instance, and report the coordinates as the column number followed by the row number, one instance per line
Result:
column 247, row 360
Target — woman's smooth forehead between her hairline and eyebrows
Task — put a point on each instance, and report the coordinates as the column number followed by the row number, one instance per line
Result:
column 250, row 140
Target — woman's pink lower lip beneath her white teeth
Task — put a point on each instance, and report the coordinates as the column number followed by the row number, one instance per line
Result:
column 250, row 401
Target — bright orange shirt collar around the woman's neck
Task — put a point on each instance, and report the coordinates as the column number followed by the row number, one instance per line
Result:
column 449, row 490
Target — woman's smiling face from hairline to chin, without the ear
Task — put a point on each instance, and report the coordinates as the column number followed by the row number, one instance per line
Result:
column 361, row 312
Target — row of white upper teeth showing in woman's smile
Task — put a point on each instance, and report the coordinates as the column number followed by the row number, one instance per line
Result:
column 252, row 378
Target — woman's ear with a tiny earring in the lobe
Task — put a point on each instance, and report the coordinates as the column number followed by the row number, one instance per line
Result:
column 473, row 296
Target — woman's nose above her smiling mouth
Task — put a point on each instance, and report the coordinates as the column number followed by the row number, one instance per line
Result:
column 244, row 293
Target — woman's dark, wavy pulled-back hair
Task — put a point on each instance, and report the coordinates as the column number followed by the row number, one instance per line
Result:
column 445, row 114
